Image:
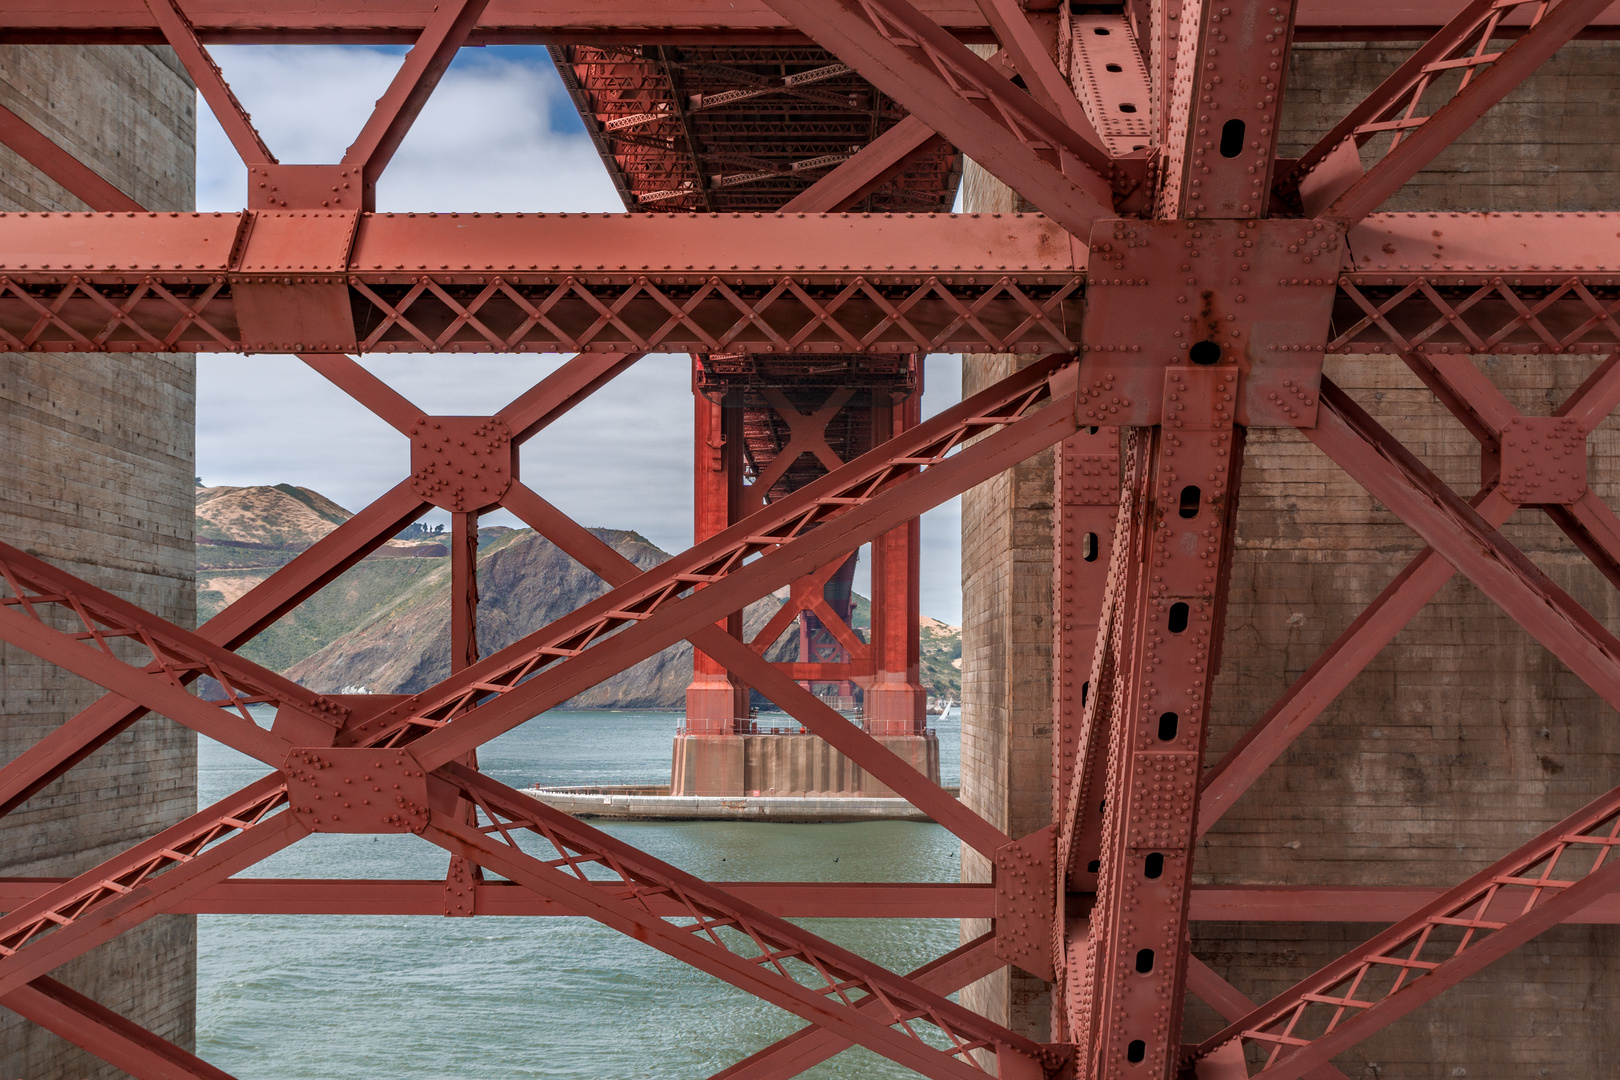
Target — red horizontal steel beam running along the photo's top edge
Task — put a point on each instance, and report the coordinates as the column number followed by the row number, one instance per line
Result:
column 537, row 22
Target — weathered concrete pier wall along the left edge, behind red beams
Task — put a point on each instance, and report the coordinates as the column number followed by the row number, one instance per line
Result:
column 100, row 464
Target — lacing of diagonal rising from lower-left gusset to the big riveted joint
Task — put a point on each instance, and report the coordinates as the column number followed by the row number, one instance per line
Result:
column 764, row 532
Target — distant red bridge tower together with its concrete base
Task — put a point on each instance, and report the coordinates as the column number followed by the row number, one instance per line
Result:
column 765, row 428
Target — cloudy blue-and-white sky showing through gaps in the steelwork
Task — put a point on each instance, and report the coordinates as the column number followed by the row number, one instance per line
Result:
column 498, row 135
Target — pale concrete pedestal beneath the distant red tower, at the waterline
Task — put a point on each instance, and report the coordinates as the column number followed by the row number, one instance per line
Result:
column 788, row 765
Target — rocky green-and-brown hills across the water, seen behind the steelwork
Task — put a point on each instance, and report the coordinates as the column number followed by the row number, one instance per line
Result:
column 383, row 626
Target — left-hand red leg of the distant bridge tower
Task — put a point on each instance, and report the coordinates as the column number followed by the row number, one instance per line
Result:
column 717, row 704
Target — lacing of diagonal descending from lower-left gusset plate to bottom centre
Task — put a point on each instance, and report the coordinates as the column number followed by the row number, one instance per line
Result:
column 795, row 961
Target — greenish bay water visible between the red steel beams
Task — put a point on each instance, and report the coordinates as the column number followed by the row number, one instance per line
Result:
column 404, row 998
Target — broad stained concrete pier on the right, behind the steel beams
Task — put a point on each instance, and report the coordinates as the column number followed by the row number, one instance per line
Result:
column 1460, row 742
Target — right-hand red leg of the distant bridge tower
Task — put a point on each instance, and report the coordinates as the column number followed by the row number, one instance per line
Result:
column 897, row 704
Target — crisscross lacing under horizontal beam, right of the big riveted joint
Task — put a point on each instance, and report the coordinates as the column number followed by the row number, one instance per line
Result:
column 1527, row 315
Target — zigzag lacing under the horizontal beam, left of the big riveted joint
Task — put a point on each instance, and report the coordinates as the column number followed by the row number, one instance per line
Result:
column 574, row 315
